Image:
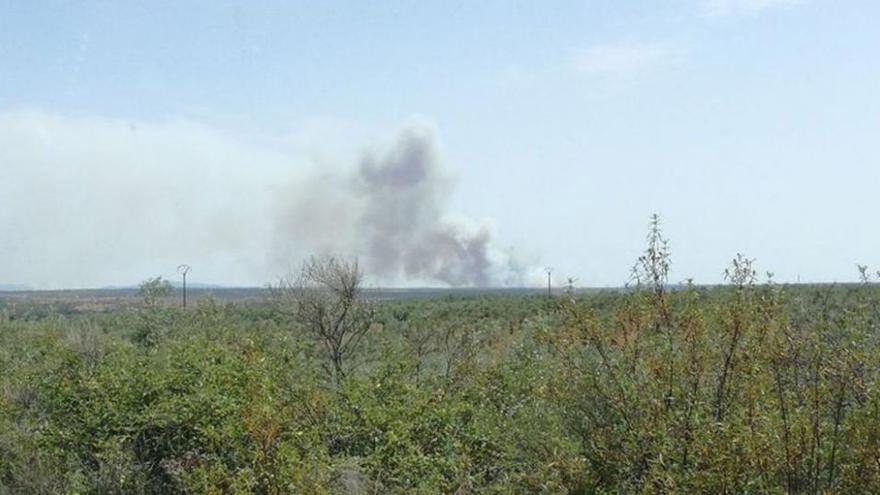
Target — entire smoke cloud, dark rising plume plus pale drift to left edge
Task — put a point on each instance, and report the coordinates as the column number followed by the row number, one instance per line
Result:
column 89, row 202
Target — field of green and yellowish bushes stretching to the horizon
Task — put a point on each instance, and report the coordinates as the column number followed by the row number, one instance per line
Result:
column 749, row 387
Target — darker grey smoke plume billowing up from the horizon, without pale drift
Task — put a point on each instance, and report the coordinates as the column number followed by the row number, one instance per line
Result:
column 391, row 212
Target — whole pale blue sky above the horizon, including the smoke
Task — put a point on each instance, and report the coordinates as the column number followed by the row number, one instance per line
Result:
column 442, row 142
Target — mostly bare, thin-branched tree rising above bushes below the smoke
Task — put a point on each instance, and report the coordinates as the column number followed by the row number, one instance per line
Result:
column 326, row 299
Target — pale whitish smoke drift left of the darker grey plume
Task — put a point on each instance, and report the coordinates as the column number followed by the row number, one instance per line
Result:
column 90, row 202
